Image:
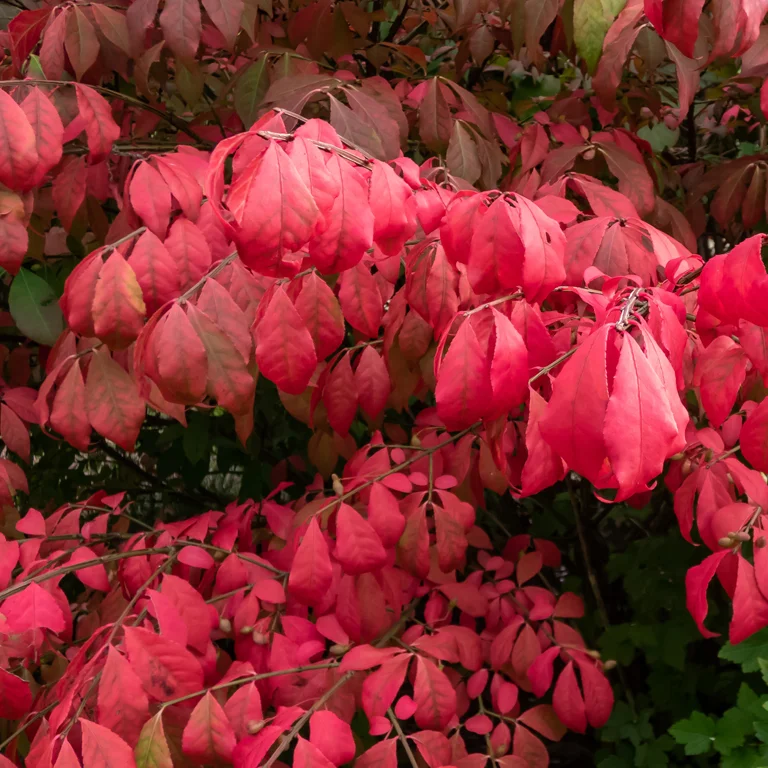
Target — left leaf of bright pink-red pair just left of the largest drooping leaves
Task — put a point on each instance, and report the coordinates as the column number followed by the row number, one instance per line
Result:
column 463, row 392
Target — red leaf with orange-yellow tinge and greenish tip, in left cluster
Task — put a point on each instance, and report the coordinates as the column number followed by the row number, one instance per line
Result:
column 118, row 307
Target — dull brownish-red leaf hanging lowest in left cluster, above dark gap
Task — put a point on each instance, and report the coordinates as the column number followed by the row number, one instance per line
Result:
column 115, row 409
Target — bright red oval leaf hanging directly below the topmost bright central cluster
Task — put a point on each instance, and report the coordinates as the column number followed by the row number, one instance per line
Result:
column 284, row 349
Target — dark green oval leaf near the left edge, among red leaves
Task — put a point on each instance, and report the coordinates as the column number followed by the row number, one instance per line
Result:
column 35, row 308
